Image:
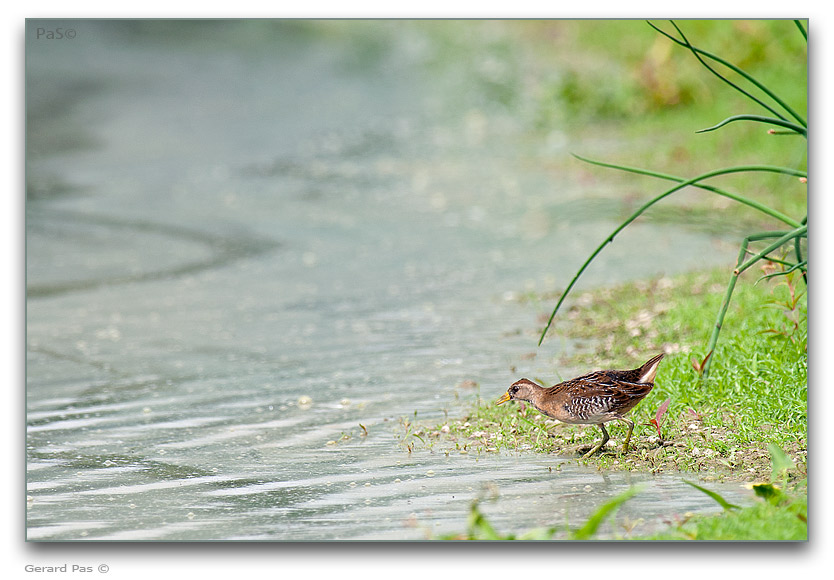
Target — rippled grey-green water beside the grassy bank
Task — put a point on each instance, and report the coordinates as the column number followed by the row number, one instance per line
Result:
column 253, row 247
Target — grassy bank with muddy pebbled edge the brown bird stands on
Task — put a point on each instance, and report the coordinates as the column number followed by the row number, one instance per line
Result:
column 718, row 427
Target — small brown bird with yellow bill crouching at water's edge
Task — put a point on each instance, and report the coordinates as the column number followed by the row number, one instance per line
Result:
column 592, row 399
